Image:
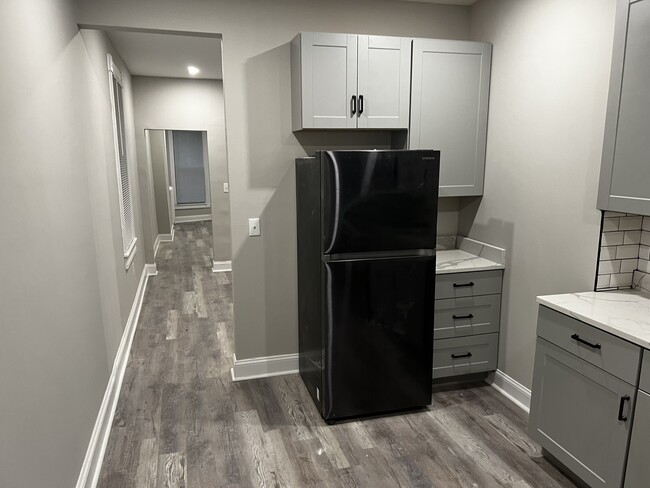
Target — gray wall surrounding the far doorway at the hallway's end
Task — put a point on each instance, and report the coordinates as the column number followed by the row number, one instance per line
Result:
column 184, row 104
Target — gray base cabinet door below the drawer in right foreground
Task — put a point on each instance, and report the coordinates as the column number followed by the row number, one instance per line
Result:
column 574, row 415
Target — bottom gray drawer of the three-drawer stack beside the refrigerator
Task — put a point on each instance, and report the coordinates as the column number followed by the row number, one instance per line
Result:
column 463, row 355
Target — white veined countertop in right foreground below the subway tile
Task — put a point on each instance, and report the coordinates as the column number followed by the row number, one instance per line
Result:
column 624, row 313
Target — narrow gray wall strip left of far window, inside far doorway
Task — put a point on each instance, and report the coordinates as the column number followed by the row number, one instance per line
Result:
column 159, row 171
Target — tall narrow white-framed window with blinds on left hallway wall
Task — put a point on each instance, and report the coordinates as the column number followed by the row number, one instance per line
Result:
column 121, row 160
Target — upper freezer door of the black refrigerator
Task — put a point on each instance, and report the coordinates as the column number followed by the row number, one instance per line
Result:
column 379, row 200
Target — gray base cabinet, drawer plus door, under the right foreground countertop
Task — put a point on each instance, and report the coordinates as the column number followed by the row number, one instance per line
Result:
column 583, row 397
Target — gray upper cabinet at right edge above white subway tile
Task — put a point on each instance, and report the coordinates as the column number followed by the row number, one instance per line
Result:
column 625, row 167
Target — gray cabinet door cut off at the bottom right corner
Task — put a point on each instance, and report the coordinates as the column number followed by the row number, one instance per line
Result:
column 637, row 472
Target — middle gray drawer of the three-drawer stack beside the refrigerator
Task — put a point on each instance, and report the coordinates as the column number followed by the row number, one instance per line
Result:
column 458, row 317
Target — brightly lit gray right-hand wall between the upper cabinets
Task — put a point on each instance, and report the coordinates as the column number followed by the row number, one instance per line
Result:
column 550, row 75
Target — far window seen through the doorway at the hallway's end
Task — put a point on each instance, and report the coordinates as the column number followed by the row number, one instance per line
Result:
column 190, row 169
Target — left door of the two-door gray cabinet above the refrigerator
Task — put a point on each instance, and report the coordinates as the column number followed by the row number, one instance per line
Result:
column 327, row 69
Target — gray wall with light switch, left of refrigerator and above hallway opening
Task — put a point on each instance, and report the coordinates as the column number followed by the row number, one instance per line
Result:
column 261, row 146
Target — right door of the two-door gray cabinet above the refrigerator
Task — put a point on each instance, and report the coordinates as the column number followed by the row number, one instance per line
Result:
column 384, row 70
